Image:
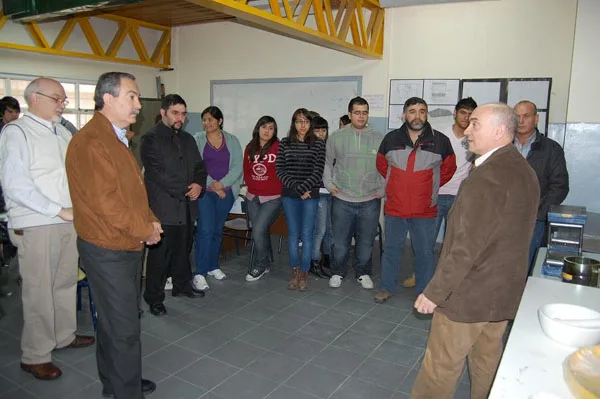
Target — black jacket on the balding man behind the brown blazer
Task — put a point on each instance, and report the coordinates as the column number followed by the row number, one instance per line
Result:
column 547, row 159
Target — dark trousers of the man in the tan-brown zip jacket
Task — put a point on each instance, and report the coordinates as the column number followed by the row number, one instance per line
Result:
column 114, row 278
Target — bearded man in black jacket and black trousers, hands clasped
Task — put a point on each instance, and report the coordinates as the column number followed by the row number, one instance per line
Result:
column 175, row 178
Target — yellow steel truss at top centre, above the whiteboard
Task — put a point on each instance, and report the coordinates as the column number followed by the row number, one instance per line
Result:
column 332, row 32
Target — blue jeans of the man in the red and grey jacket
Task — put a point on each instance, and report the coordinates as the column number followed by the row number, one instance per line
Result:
column 423, row 242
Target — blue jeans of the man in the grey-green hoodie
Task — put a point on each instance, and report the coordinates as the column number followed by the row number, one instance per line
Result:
column 358, row 219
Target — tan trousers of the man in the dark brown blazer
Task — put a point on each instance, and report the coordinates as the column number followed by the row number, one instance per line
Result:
column 448, row 345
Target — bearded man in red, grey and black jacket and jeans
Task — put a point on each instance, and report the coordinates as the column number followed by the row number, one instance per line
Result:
column 416, row 161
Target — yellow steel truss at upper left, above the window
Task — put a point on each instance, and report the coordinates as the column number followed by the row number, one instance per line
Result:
column 159, row 58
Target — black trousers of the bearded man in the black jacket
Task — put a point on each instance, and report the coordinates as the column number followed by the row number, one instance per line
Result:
column 170, row 256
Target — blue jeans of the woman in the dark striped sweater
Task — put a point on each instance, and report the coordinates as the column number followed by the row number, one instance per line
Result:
column 300, row 217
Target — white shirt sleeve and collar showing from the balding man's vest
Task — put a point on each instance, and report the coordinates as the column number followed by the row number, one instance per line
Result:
column 16, row 177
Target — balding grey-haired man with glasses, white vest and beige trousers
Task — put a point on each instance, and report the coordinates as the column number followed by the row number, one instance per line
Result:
column 34, row 179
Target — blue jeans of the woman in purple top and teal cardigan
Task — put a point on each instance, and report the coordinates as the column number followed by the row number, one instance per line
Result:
column 212, row 215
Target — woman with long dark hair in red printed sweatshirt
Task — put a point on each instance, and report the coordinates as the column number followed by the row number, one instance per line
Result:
column 264, row 191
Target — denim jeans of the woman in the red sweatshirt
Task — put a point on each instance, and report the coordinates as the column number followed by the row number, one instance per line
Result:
column 262, row 216
